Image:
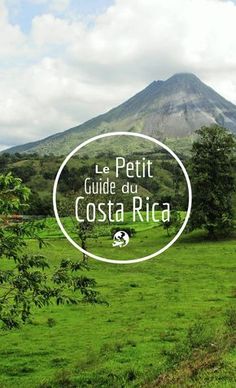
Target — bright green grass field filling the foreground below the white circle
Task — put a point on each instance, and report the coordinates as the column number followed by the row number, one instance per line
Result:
column 171, row 321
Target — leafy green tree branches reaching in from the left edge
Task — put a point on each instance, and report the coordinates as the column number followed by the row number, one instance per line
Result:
column 26, row 279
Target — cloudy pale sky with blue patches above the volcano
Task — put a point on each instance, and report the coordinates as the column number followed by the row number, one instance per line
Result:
column 63, row 62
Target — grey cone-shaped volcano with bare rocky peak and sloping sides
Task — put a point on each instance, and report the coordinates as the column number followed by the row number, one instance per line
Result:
column 173, row 109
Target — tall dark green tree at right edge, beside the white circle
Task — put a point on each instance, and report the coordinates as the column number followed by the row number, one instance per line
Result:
column 212, row 178
